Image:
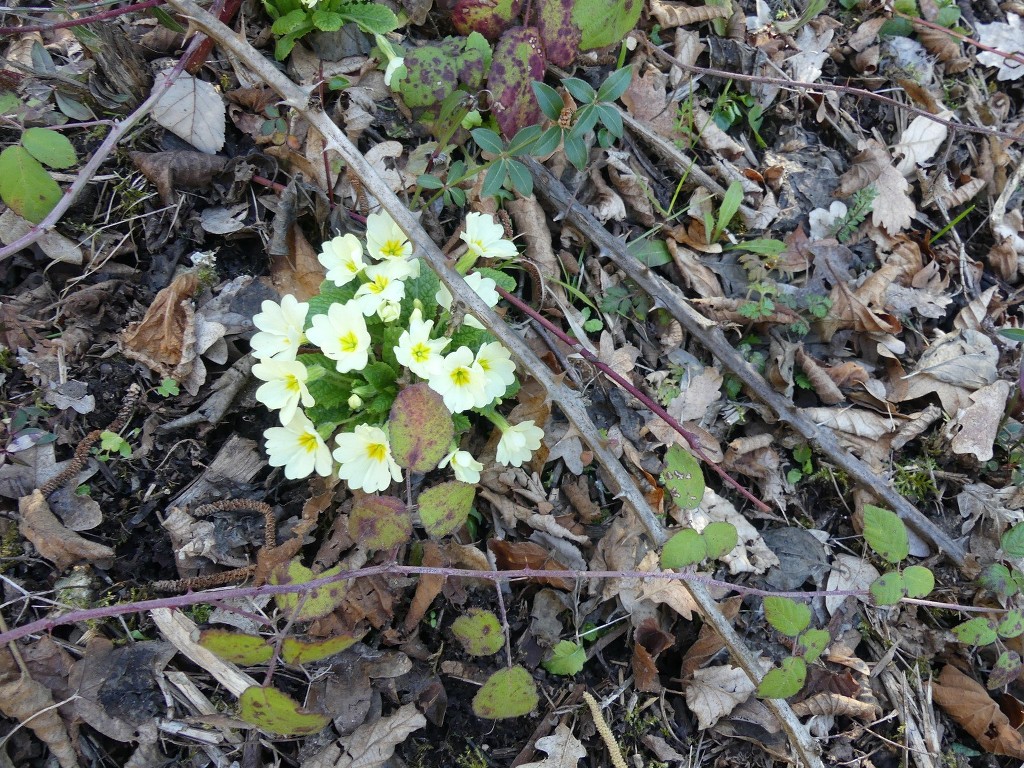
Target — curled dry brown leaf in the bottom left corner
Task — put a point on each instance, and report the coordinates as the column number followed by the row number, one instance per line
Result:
column 32, row 705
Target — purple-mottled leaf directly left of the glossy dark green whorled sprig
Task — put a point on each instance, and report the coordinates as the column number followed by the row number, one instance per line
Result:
column 519, row 61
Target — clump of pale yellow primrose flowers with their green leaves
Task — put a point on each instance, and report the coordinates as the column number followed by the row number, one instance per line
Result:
column 379, row 324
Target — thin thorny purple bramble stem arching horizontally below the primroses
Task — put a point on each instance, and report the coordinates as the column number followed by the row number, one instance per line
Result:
column 196, row 599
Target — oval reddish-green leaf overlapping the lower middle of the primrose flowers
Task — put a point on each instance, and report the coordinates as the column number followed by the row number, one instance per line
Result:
column 420, row 429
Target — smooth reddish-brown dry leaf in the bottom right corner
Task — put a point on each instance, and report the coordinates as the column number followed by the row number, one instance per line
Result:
column 969, row 704
